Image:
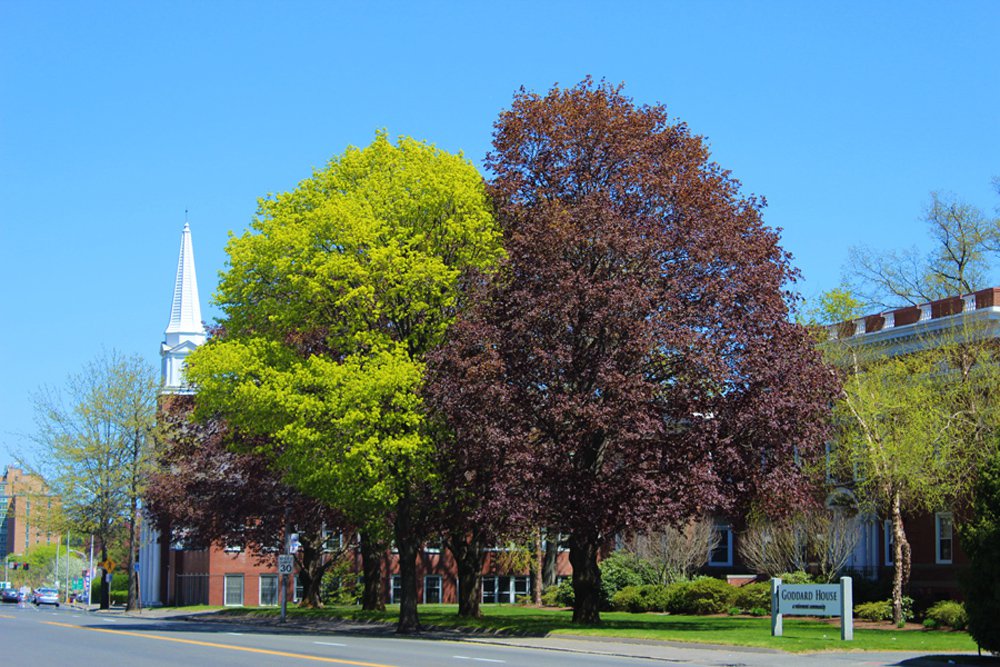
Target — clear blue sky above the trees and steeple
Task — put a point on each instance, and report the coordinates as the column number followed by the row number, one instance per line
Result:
column 115, row 117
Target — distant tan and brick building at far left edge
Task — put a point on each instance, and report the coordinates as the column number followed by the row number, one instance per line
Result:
column 25, row 504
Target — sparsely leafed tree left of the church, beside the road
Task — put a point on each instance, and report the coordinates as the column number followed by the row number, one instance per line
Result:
column 95, row 440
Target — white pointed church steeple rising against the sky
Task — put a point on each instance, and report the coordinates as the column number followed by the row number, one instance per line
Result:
column 185, row 331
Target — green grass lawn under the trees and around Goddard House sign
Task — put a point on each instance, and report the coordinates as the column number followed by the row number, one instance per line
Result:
column 800, row 635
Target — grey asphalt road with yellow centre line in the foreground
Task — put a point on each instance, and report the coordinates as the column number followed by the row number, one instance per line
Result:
column 38, row 637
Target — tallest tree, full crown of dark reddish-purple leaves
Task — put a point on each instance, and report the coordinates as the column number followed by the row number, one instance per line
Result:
column 636, row 343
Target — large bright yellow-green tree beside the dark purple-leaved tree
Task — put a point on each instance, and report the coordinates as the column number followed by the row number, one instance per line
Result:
column 331, row 304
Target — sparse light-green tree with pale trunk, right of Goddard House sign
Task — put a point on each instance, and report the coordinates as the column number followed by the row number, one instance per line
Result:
column 912, row 426
